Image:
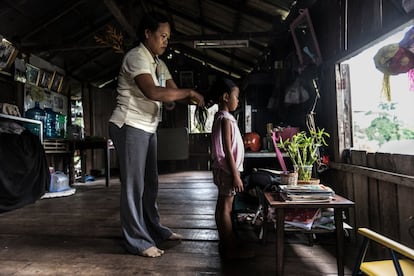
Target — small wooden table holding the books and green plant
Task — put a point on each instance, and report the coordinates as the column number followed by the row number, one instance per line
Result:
column 338, row 204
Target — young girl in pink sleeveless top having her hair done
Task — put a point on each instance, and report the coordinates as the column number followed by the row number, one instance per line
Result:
column 228, row 156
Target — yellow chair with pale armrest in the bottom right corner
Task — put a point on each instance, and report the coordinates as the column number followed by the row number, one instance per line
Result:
column 401, row 262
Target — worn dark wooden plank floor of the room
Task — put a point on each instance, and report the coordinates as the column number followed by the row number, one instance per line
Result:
column 80, row 235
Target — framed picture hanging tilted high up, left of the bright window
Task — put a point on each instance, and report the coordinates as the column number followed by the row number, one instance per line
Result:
column 306, row 44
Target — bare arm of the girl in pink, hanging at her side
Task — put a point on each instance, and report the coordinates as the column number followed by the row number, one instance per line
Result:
column 226, row 132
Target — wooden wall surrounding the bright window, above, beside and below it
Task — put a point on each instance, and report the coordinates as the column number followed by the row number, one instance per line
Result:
column 382, row 185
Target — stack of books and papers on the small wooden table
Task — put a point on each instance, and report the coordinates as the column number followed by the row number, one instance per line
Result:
column 307, row 193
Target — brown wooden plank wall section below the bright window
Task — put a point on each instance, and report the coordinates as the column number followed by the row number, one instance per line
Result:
column 382, row 187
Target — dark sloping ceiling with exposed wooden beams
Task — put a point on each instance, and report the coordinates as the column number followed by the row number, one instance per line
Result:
column 66, row 33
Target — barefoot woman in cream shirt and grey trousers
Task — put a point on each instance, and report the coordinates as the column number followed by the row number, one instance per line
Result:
column 144, row 83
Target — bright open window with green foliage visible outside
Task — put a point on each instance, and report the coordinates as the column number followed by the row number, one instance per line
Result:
column 378, row 125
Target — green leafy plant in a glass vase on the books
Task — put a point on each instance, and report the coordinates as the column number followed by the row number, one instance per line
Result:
column 303, row 150
